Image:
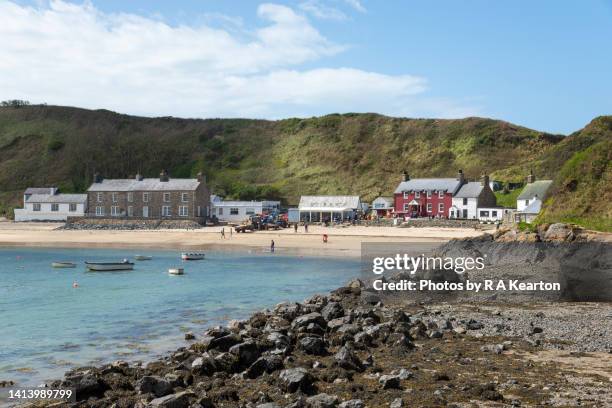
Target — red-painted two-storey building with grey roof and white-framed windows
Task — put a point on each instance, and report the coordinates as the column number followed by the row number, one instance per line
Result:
column 427, row 197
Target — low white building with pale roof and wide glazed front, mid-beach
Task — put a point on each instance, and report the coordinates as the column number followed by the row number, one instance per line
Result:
column 320, row 208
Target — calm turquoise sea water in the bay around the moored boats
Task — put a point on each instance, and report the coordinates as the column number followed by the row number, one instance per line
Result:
column 47, row 326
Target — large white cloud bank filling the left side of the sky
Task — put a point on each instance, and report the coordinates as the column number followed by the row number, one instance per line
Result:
column 74, row 54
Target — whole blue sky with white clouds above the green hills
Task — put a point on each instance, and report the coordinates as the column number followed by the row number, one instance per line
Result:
column 542, row 64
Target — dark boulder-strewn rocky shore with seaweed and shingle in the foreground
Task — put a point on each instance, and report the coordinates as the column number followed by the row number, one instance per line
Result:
column 359, row 348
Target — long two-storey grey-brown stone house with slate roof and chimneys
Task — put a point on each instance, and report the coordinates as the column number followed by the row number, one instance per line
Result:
column 149, row 198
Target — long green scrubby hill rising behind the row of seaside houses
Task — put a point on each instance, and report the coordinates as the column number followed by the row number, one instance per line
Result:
column 334, row 154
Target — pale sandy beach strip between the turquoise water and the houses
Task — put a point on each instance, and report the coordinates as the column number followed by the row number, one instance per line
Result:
column 342, row 240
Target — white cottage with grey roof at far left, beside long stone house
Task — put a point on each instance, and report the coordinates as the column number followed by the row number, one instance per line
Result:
column 47, row 204
